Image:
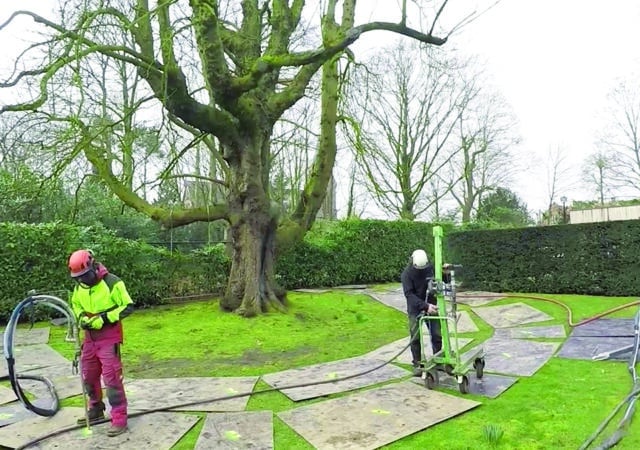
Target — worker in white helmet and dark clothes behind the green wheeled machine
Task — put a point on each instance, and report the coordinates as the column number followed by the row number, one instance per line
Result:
column 415, row 284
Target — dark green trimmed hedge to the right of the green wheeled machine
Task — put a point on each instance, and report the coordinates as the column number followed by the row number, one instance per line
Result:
column 595, row 258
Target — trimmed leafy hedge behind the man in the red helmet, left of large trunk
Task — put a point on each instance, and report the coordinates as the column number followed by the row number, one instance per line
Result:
column 35, row 257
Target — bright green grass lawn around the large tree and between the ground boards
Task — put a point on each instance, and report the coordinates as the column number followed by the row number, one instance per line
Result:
column 558, row 407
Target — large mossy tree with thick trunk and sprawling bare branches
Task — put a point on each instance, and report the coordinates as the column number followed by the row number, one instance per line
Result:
column 229, row 69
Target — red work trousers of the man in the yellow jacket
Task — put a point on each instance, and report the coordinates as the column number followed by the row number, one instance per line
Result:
column 103, row 359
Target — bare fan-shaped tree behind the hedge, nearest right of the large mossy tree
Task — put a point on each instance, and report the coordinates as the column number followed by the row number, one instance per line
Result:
column 407, row 115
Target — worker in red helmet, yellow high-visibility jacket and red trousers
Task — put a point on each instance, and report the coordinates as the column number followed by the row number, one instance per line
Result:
column 100, row 301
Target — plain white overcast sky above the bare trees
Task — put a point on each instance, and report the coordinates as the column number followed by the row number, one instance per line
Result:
column 553, row 60
